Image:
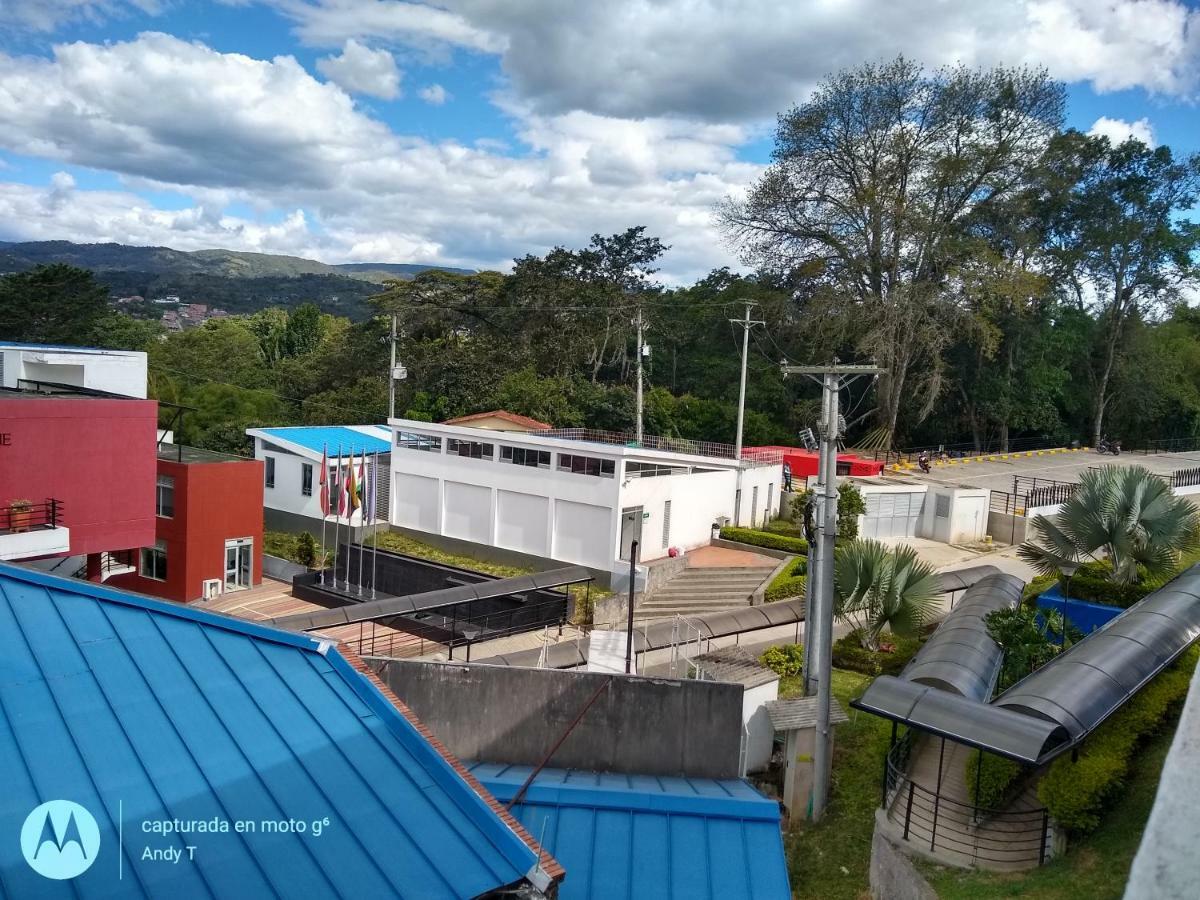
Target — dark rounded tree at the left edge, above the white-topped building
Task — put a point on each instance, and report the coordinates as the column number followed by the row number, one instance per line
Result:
column 52, row 304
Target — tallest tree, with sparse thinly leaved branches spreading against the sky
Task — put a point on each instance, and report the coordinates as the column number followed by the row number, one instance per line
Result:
column 873, row 181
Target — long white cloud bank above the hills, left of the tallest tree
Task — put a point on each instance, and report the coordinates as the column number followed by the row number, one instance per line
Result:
column 225, row 129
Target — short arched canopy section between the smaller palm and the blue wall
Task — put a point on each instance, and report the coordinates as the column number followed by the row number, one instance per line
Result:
column 961, row 656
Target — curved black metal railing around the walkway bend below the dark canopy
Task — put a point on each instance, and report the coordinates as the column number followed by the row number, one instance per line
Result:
column 1010, row 838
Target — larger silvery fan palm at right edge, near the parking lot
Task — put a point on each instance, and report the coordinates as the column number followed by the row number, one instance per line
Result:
column 1121, row 513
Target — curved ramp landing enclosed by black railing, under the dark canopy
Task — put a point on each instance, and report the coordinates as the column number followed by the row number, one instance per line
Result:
column 943, row 823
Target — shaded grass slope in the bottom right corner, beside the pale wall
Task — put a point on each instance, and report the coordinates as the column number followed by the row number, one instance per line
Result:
column 1096, row 867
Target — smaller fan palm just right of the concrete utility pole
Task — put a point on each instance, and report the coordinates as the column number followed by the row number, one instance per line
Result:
column 878, row 590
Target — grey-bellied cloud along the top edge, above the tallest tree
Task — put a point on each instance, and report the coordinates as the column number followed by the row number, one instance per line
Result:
column 745, row 62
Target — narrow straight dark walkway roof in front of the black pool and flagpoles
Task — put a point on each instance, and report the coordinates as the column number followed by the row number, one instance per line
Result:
column 410, row 604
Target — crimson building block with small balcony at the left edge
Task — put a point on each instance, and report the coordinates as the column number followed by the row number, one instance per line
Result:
column 88, row 463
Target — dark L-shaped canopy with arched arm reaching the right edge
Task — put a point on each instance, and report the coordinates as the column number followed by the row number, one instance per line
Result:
column 1059, row 705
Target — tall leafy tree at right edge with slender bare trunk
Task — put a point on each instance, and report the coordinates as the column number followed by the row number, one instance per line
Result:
column 1123, row 242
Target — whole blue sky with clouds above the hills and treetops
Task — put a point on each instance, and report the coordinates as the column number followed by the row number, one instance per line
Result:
column 475, row 131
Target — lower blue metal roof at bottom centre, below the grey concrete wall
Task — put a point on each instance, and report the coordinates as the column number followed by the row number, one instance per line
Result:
column 650, row 837
